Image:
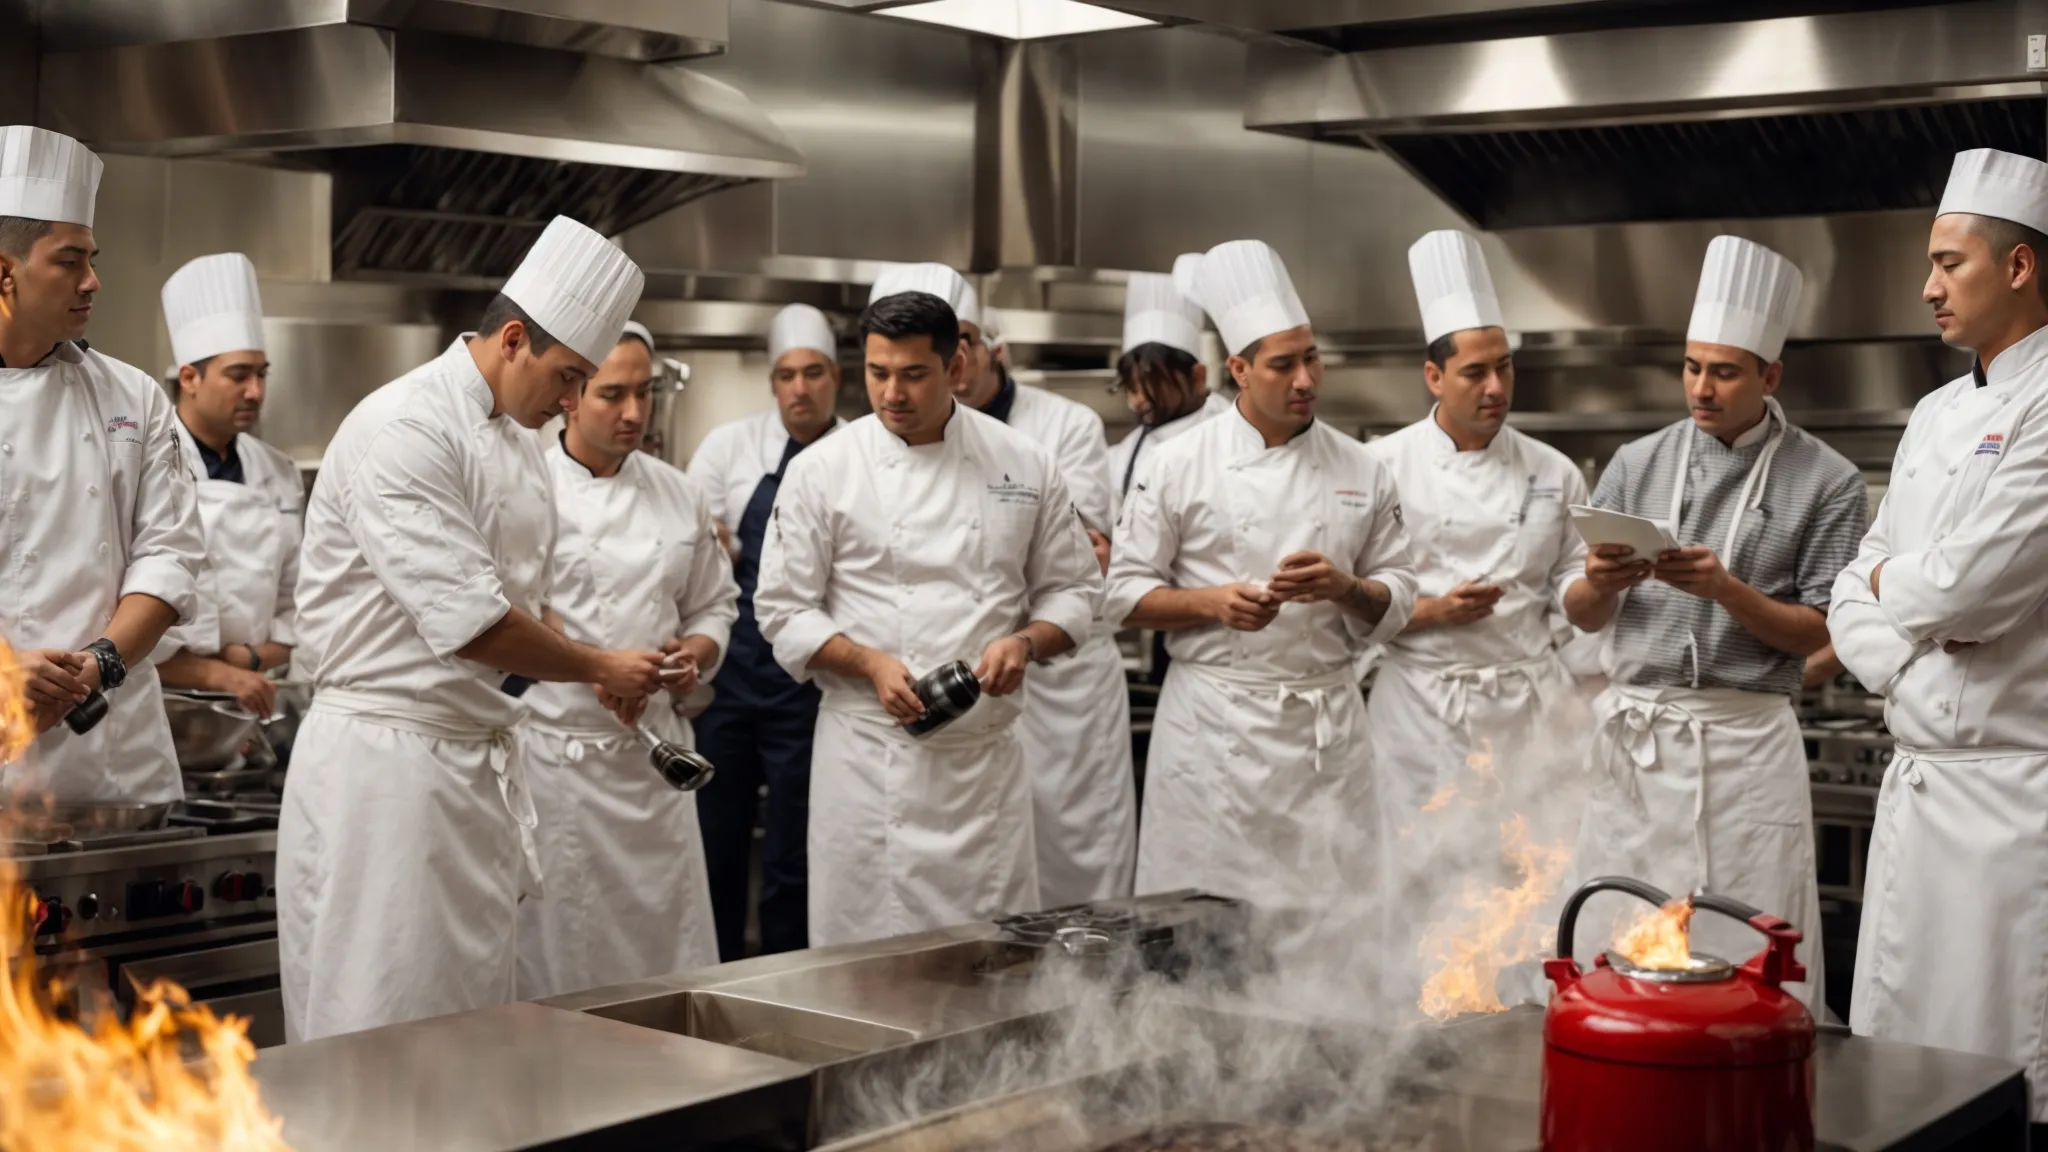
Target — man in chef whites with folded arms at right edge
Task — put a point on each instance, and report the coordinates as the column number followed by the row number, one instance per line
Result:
column 1947, row 614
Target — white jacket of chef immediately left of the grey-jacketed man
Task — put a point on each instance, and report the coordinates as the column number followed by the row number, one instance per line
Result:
column 1496, row 516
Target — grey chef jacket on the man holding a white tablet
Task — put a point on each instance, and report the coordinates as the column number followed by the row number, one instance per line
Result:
column 1805, row 528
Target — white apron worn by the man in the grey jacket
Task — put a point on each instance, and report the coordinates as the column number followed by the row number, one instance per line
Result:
column 1703, row 790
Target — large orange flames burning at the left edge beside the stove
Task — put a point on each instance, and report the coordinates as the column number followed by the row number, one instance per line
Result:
column 171, row 1079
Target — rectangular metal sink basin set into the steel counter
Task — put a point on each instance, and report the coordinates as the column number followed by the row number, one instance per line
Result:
column 802, row 1036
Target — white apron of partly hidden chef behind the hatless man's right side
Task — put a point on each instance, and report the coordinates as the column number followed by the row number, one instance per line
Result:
column 1076, row 735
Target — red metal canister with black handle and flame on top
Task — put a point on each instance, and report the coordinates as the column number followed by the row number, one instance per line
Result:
column 1697, row 1059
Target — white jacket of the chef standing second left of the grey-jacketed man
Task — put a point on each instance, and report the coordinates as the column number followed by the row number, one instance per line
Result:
column 1220, row 507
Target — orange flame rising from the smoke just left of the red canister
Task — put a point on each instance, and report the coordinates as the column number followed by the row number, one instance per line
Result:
column 1492, row 928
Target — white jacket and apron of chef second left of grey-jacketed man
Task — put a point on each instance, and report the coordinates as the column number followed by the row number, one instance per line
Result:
column 1261, row 776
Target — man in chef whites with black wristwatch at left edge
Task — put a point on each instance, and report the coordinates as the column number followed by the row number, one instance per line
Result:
column 103, row 544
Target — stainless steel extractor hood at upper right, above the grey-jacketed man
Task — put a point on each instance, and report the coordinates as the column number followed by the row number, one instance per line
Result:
column 1547, row 114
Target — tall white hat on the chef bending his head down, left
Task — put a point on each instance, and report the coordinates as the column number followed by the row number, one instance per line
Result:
column 579, row 288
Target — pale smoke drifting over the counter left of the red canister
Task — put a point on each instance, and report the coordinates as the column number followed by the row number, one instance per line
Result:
column 1314, row 1030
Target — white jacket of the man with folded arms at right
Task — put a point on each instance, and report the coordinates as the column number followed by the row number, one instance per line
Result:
column 1959, row 536
